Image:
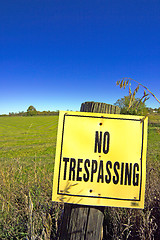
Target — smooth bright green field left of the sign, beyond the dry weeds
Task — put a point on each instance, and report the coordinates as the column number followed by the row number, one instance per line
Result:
column 27, row 136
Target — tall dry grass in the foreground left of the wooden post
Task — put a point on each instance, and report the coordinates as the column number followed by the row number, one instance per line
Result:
column 27, row 211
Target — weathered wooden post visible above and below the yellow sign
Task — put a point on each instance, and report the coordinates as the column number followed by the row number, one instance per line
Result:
column 84, row 222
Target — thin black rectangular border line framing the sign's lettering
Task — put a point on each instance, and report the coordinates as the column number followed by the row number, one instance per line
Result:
column 128, row 119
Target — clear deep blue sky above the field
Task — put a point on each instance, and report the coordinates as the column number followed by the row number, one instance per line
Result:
column 56, row 54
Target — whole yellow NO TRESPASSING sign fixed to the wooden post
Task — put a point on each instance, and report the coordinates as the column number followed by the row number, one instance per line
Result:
column 100, row 159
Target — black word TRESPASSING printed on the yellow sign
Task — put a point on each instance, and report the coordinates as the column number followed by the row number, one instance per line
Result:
column 99, row 171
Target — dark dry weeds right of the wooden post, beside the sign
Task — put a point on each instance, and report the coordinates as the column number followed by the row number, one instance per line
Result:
column 121, row 223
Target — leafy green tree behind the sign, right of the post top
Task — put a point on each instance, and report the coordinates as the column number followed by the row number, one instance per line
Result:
column 124, row 102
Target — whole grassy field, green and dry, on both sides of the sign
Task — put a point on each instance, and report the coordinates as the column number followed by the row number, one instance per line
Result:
column 27, row 149
